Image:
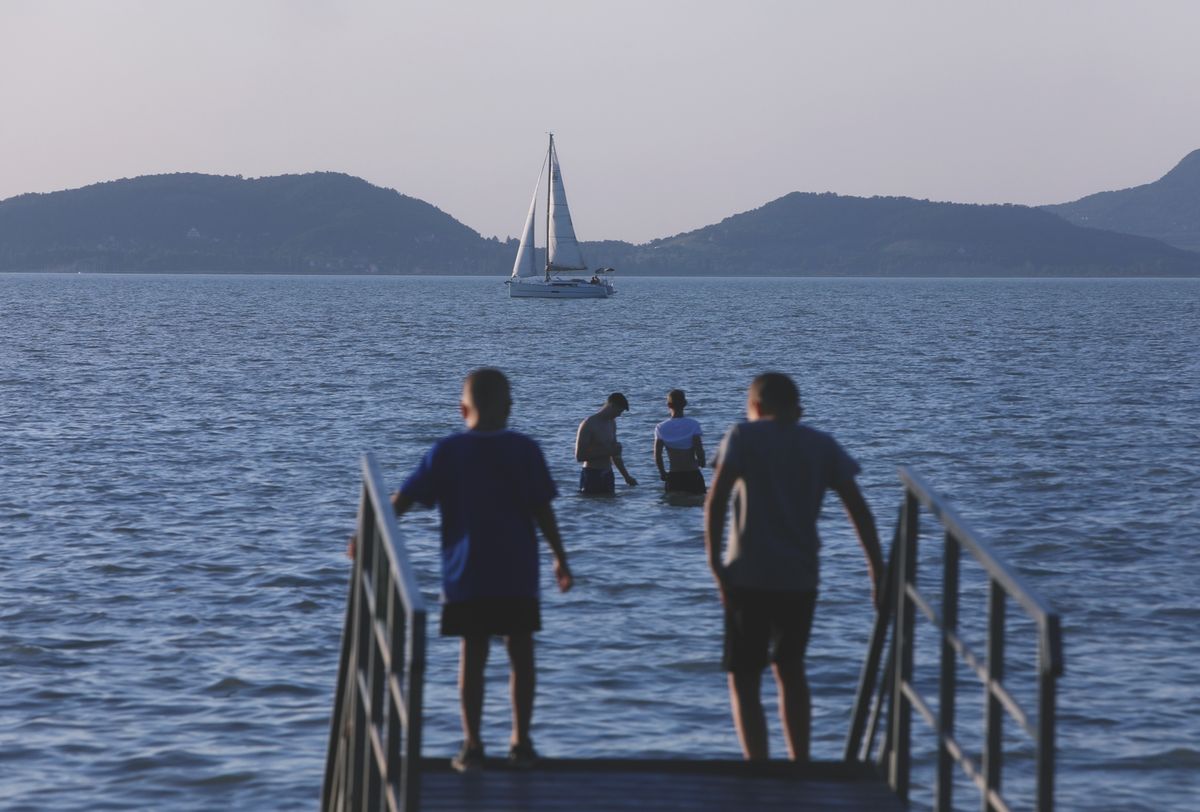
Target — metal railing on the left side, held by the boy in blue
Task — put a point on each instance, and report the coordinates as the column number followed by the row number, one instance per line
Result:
column 375, row 738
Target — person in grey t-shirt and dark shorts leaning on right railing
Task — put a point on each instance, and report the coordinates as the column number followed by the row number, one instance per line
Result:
column 777, row 472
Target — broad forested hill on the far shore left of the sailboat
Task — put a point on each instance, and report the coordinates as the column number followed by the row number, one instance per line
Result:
column 320, row 222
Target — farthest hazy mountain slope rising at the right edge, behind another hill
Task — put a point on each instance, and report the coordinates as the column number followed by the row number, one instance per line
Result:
column 1168, row 209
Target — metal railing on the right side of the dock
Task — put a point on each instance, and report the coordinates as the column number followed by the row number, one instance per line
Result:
column 901, row 603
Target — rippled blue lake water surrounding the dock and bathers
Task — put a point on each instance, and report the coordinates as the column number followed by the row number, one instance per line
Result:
column 179, row 470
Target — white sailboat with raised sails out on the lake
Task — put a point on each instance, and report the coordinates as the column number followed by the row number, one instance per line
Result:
column 563, row 255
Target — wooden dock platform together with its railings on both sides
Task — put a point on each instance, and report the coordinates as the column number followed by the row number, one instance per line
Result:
column 375, row 761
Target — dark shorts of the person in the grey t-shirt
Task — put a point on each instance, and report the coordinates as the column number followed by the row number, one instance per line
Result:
column 764, row 625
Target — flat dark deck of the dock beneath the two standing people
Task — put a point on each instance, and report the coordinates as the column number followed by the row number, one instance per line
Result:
column 695, row 786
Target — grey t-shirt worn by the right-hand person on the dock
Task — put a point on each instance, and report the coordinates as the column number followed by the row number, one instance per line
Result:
column 783, row 472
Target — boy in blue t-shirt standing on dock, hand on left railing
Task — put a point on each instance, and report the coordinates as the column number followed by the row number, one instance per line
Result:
column 493, row 488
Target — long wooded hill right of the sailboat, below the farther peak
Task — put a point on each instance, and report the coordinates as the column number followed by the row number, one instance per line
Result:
column 829, row 234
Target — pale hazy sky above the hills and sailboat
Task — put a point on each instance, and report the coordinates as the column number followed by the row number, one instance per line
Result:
column 669, row 116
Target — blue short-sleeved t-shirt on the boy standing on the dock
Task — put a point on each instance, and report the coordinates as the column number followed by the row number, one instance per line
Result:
column 487, row 486
